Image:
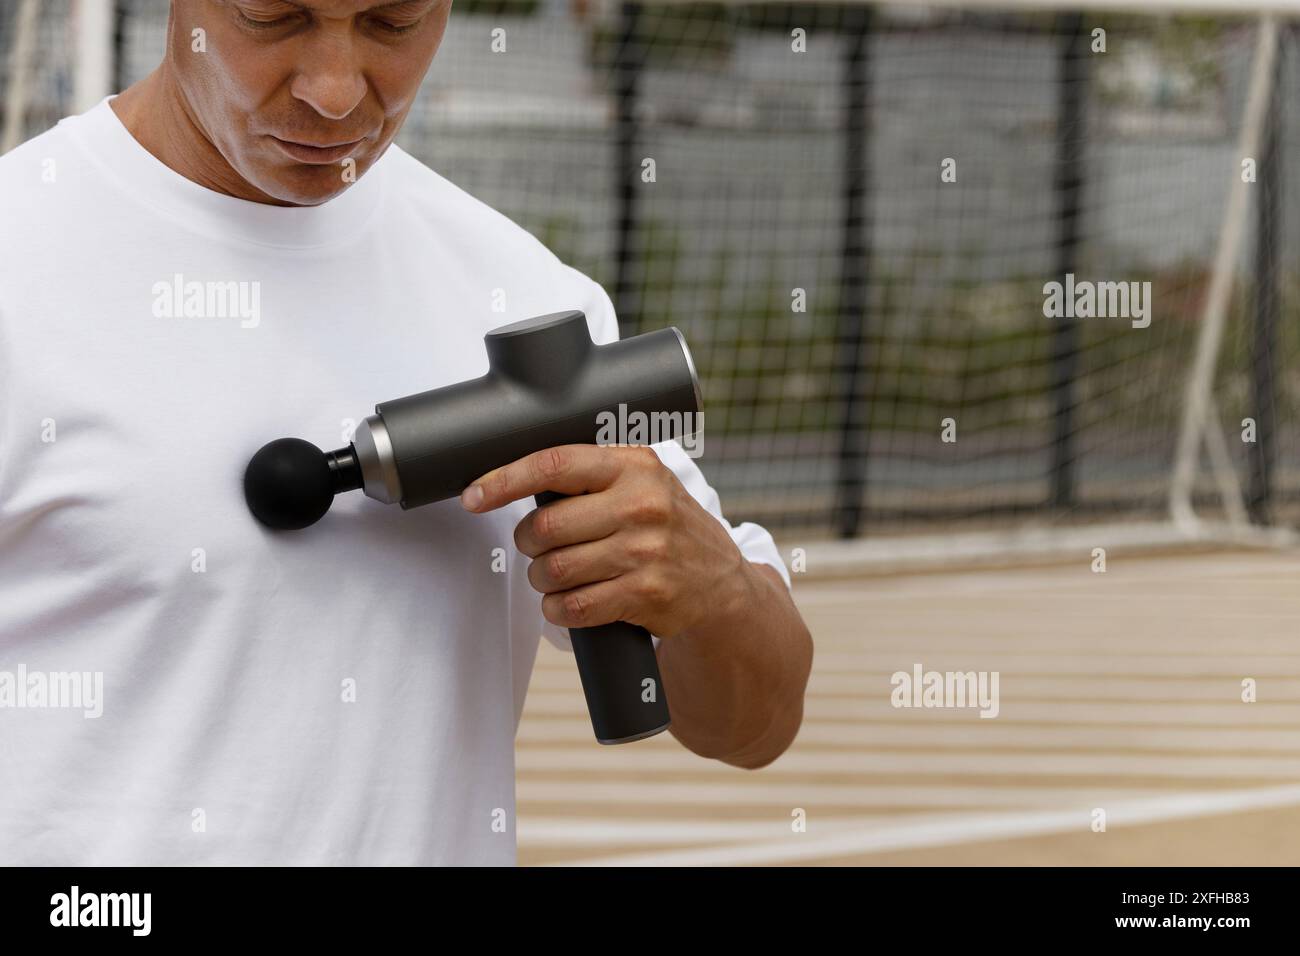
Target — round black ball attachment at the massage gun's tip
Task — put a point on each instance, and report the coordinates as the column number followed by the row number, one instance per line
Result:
column 288, row 485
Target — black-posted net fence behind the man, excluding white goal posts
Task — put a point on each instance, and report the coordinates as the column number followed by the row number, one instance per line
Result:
column 853, row 214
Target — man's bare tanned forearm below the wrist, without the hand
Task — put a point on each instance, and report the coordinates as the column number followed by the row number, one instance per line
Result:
column 736, row 681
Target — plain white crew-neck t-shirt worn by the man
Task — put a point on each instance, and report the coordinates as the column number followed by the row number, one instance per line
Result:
column 348, row 694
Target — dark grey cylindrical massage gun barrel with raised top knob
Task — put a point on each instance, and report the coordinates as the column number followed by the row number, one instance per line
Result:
column 548, row 386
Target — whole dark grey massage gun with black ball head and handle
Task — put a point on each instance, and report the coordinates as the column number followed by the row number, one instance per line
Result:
column 547, row 386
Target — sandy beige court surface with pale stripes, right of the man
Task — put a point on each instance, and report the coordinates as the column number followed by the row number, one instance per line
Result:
column 1117, row 693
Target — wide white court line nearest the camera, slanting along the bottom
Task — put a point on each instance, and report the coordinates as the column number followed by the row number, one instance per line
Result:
column 955, row 830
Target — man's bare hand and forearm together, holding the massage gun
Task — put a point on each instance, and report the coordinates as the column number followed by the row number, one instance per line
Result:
column 638, row 547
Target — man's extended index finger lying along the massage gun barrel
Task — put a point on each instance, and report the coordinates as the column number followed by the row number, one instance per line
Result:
column 566, row 470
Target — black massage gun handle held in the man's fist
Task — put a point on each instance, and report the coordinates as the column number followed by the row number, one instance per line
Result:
column 616, row 661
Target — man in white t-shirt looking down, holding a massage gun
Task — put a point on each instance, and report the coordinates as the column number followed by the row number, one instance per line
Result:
column 232, row 252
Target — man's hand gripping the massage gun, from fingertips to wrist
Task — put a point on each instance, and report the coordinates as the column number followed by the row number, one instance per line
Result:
column 635, row 547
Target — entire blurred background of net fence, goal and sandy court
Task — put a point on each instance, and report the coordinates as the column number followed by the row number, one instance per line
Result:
column 853, row 215
